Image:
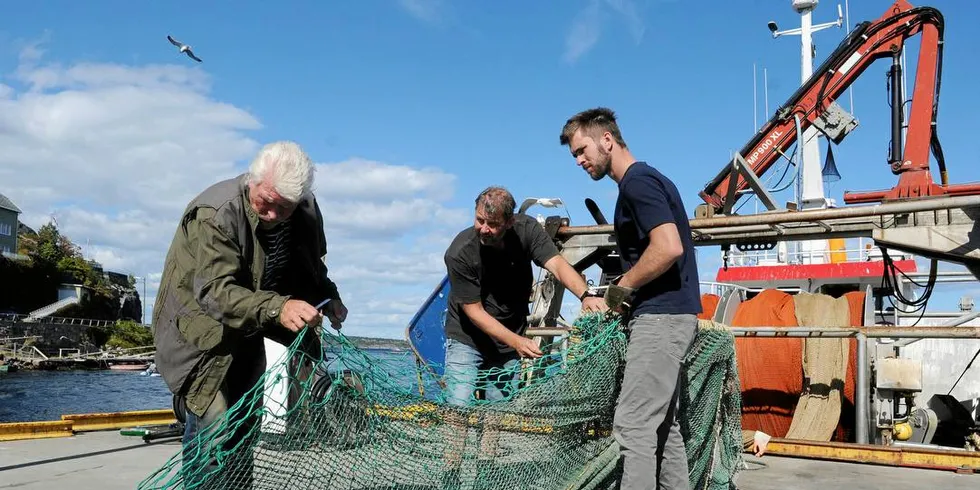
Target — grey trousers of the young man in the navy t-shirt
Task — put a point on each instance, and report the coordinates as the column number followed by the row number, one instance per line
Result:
column 645, row 425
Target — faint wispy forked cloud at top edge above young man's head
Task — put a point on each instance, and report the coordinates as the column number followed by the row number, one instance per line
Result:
column 588, row 24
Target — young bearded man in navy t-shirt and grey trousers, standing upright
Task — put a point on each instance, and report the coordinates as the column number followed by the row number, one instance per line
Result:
column 654, row 242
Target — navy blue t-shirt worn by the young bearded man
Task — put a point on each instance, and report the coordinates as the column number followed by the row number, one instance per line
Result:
column 646, row 200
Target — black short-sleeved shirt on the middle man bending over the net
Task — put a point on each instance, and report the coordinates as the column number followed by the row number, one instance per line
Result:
column 499, row 278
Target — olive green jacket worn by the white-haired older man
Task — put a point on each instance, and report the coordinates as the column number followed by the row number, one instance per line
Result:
column 209, row 306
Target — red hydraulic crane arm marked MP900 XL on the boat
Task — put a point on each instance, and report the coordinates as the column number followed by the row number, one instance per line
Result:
column 813, row 104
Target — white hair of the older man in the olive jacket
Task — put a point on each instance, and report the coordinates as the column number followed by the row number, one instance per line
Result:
column 289, row 168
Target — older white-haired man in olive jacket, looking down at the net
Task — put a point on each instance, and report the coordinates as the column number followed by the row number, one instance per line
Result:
column 246, row 263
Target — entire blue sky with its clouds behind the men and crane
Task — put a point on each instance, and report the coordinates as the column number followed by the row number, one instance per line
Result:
column 410, row 108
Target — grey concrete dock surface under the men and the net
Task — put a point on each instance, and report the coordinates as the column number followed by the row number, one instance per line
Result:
column 106, row 460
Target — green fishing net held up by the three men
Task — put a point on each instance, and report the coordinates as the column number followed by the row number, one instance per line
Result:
column 374, row 425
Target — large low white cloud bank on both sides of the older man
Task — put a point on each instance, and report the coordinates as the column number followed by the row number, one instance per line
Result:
column 114, row 152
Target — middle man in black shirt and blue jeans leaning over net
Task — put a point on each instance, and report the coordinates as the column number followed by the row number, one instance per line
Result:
column 490, row 281
